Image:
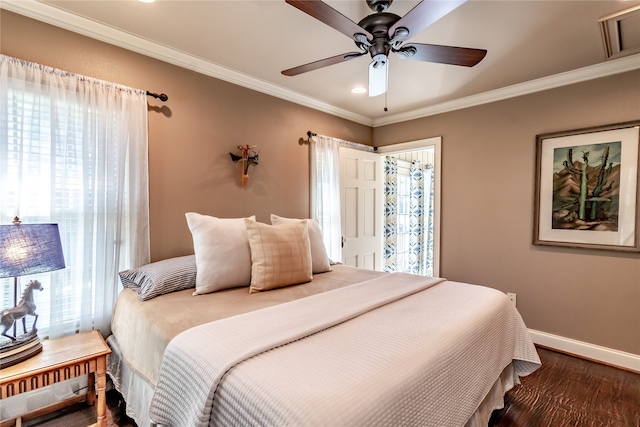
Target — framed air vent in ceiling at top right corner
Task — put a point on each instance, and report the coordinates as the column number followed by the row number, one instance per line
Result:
column 621, row 32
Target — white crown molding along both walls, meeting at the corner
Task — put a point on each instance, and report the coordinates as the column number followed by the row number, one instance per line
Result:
column 77, row 24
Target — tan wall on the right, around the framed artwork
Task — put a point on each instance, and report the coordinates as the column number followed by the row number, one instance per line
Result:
column 488, row 156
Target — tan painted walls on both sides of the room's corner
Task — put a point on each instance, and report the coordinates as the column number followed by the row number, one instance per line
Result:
column 488, row 168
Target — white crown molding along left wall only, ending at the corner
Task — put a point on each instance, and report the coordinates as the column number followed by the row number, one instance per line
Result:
column 95, row 30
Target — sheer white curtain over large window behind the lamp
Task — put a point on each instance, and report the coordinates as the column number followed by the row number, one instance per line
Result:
column 73, row 151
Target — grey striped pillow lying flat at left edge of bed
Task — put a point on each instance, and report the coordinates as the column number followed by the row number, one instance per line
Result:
column 161, row 277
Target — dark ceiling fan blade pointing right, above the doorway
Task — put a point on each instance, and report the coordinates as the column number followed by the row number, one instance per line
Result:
column 464, row 56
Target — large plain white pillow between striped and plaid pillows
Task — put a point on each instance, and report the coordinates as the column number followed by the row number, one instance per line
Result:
column 223, row 255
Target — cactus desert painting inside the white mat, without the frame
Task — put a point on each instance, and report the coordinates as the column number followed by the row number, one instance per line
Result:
column 586, row 187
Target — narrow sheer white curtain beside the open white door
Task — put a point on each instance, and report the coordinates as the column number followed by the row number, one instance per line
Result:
column 325, row 192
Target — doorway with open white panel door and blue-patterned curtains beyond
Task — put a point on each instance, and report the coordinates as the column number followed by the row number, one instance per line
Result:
column 364, row 215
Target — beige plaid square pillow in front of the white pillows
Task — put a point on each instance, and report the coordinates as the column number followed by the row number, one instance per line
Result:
column 280, row 255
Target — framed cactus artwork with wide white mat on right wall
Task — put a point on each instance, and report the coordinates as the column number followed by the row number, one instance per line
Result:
column 587, row 188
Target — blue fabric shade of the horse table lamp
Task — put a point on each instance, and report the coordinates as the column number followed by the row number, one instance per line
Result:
column 29, row 249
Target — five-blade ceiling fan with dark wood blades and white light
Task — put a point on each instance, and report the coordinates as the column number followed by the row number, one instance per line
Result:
column 382, row 32
